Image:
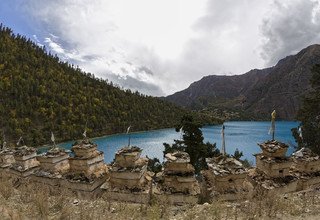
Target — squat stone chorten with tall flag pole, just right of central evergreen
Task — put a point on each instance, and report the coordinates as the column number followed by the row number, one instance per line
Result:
column 226, row 175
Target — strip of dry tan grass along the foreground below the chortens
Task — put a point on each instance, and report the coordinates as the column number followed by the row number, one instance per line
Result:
column 38, row 201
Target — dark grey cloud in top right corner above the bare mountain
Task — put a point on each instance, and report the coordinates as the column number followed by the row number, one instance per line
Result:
column 290, row 26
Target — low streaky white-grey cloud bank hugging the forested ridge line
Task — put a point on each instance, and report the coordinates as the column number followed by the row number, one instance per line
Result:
column 124, row 74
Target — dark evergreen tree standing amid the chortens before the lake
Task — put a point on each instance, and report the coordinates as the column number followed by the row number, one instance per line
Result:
column 192, row 143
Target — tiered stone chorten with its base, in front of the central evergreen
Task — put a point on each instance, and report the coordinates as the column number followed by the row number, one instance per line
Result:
column 177, row 181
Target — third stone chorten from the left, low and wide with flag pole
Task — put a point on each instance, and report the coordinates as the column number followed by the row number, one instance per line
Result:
column 53, row 164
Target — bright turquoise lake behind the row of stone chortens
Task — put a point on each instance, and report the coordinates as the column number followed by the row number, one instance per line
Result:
column 243, row 135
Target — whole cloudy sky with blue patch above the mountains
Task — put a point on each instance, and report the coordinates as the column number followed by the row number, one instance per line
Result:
column 159, row 47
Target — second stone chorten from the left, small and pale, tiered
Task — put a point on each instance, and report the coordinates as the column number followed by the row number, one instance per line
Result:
column 25, row 161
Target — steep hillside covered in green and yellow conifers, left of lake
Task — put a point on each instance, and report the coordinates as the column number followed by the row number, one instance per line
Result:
column 39, row 94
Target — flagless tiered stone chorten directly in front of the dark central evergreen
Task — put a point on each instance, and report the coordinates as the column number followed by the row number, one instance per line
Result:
column 178, row 175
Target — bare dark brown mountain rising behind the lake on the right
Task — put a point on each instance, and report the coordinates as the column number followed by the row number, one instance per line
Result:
column 256, row 93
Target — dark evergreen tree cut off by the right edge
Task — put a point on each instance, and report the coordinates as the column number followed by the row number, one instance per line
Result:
column 309, row 115
